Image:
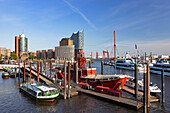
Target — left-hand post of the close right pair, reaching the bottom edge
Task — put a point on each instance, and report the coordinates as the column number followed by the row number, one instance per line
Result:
column 144, row 95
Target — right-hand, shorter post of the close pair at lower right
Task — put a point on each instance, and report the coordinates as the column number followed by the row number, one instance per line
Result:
column 148, row 84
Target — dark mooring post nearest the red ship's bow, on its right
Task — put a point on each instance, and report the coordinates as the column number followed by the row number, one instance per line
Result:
column 136, row 81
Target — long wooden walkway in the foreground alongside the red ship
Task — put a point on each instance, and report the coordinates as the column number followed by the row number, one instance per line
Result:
column 123, row 101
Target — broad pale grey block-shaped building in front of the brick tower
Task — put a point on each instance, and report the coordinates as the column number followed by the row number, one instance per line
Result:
column 64, row 53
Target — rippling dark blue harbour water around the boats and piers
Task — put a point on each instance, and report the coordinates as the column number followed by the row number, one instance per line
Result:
column 12, row 100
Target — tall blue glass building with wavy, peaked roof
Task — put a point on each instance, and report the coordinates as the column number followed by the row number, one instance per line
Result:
column 78, row 40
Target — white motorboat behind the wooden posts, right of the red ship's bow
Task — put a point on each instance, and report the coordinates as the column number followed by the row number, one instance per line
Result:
column 131, row 83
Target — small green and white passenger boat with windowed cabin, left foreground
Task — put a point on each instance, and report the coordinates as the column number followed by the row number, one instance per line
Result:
column 39, row 92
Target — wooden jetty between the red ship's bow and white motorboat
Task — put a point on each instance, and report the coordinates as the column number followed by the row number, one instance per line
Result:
column 132, row 91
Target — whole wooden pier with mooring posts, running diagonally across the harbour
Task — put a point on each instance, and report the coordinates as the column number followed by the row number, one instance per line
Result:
column 126, row 101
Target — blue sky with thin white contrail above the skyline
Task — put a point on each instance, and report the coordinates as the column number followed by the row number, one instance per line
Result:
column 45, row 22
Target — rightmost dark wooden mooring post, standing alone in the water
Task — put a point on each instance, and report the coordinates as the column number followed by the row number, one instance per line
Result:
column 163, row 87
